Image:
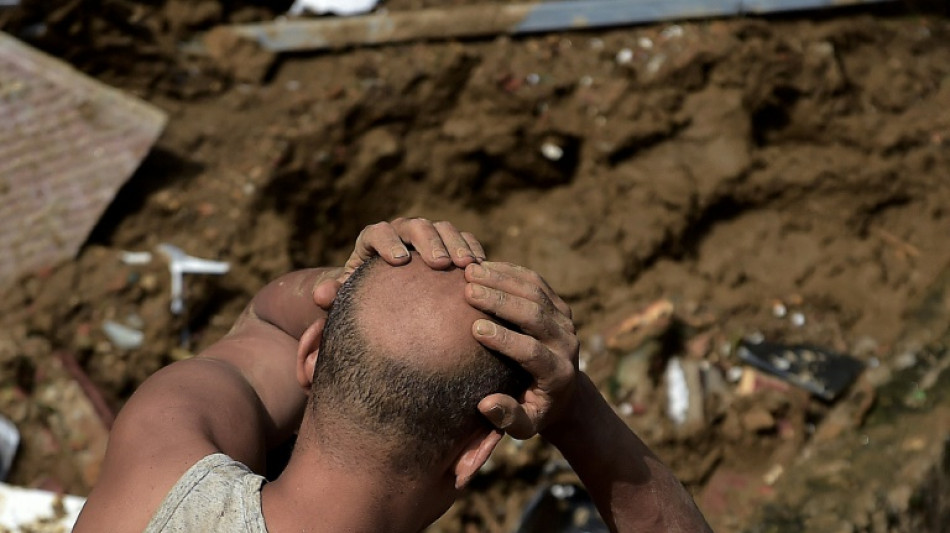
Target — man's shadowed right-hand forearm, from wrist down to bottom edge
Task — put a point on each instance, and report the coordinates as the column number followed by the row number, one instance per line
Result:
column 633, row 489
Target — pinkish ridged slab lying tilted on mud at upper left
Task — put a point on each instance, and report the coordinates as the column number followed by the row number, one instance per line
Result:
column 67, row 143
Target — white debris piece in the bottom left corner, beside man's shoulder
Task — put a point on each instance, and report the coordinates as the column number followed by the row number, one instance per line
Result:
column 31, row 509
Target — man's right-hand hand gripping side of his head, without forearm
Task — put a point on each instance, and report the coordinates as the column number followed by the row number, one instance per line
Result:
column 545, row 344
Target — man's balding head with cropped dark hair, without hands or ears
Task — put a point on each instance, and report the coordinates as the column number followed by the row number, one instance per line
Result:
column 398, row 370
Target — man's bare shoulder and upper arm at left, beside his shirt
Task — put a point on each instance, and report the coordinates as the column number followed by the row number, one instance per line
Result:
column 160, row 434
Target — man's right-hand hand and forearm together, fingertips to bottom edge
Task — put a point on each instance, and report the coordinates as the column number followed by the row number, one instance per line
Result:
column 633, row 489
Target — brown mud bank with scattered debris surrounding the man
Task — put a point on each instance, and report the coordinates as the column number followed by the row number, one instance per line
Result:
column 728, row 166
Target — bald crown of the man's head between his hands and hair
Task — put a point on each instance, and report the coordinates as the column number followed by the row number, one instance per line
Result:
column 417, row 312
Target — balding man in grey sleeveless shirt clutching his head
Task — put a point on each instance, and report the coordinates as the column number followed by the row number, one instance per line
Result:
column 388, row 402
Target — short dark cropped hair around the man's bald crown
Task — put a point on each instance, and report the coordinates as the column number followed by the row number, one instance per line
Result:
column 426, row 411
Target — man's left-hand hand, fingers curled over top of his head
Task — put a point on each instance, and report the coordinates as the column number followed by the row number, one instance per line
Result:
column 439, row 243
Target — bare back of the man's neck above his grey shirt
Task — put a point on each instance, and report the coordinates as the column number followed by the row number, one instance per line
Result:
column 315, row 494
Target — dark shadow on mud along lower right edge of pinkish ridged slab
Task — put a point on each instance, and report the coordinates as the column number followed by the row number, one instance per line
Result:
column 159, row 170
